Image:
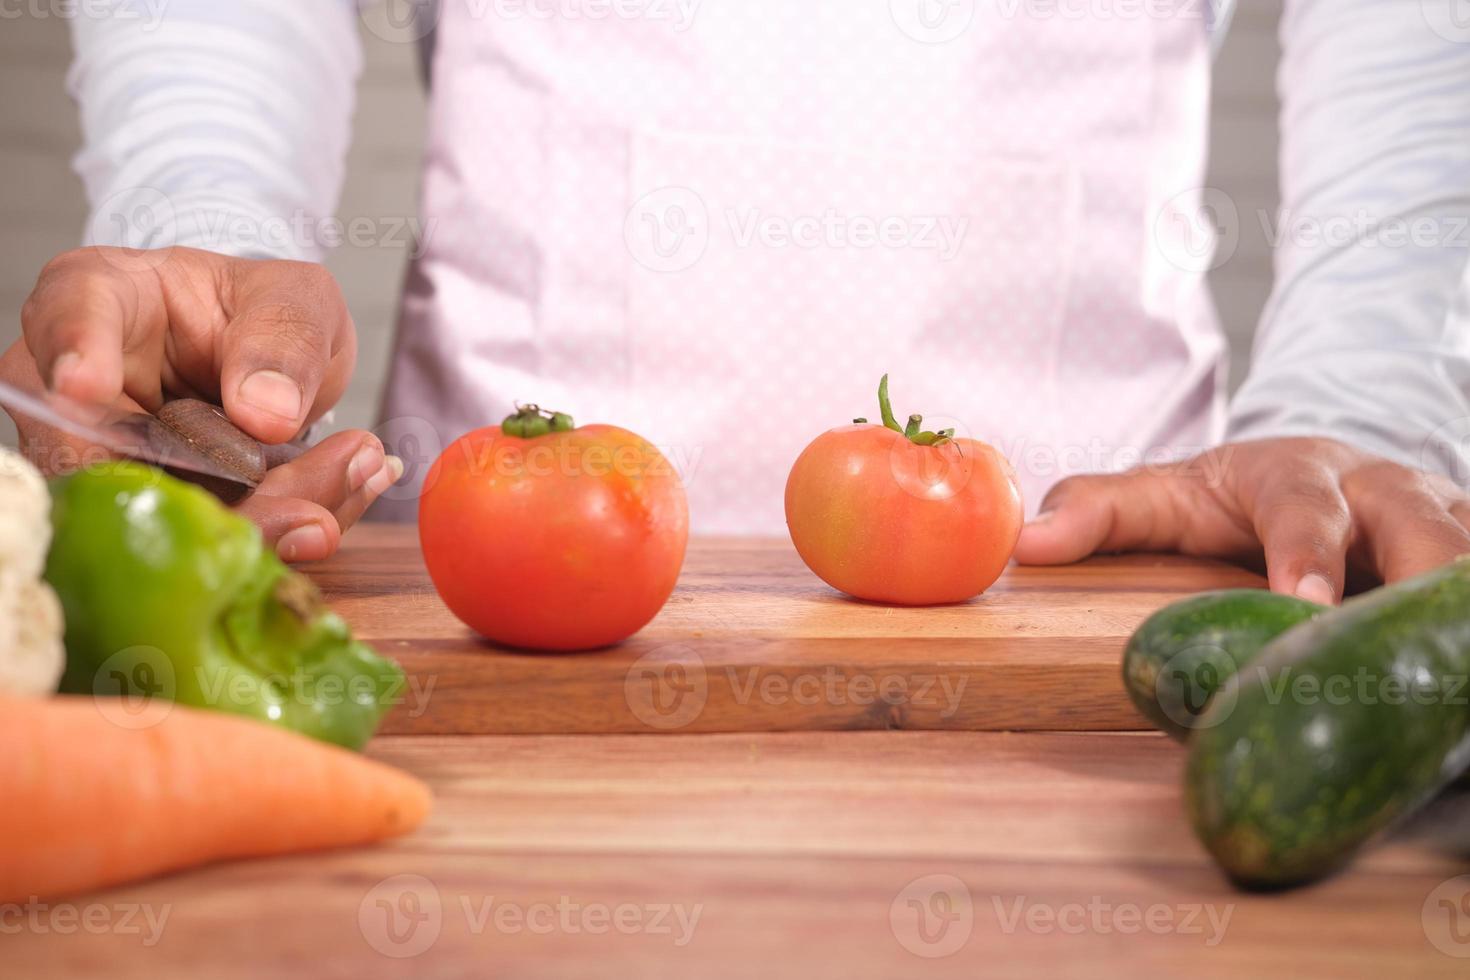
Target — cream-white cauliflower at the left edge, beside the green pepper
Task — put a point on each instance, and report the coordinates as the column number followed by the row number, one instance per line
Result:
column 32, row 652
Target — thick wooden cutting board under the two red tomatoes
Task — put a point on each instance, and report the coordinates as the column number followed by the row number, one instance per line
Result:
column 752, row 641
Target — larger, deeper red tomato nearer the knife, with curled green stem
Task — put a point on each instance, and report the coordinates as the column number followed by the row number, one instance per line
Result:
column 564, row 541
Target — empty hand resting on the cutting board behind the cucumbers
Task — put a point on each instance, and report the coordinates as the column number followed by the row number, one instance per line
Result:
column 1312, row 508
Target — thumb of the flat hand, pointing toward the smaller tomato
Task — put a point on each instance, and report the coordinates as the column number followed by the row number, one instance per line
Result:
column 1086, row 515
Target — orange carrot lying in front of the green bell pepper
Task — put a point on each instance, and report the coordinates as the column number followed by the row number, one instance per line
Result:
column 86, row 803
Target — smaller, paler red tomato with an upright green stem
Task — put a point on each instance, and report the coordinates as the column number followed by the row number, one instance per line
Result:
column 887, row 519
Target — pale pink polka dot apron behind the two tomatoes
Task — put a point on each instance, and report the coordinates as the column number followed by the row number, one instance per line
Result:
column 718, row 224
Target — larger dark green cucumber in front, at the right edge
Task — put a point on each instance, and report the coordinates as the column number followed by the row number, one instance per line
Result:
column 1337, row 731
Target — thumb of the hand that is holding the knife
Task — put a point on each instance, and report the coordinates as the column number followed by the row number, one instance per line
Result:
column 289, row 345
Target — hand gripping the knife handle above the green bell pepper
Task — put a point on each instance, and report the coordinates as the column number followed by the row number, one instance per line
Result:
column 271, row 342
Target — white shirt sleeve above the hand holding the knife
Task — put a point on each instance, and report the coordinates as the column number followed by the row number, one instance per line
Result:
column 218, row 126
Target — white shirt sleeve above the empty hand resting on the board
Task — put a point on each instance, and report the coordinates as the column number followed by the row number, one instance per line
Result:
column 1366, row 337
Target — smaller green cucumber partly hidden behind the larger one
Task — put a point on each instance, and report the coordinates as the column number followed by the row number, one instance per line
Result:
column 1183, row 655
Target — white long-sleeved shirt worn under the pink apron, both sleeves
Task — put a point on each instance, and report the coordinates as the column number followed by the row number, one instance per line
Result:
column 226, row 127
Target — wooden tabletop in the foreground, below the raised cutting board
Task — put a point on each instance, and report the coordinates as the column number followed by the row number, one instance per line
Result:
column 1031, row 856
